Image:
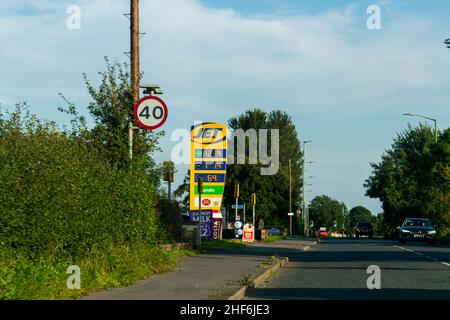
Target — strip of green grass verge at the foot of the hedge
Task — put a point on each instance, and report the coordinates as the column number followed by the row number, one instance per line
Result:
column 46, row 278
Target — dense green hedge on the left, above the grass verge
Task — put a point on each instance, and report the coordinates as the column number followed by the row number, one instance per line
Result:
column 59, row 197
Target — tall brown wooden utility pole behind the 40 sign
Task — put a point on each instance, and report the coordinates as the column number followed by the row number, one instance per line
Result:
column 134, row 64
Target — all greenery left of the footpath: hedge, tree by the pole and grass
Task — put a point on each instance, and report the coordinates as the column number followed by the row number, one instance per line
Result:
column 73, row 197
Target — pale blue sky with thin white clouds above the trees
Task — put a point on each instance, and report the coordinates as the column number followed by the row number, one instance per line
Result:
column 345, row 86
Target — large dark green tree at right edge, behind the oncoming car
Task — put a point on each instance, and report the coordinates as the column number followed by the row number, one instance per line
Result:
column 413, row 178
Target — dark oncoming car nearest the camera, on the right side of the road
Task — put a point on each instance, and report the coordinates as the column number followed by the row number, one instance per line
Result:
column 417, row 229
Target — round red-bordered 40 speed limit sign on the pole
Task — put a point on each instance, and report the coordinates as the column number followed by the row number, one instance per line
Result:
column 150, row 112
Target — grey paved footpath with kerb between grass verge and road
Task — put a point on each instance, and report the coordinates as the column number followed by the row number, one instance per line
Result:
column 216, row 275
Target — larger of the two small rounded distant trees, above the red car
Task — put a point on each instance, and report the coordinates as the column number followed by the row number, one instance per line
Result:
column 324, row 210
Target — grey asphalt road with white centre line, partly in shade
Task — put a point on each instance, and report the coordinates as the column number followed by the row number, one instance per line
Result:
column 336, row 268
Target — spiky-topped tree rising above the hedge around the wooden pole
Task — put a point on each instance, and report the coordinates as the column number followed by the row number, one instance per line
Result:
column 112, row 110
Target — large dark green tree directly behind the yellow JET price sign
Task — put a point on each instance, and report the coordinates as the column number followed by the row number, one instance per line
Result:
column 272, row 191
